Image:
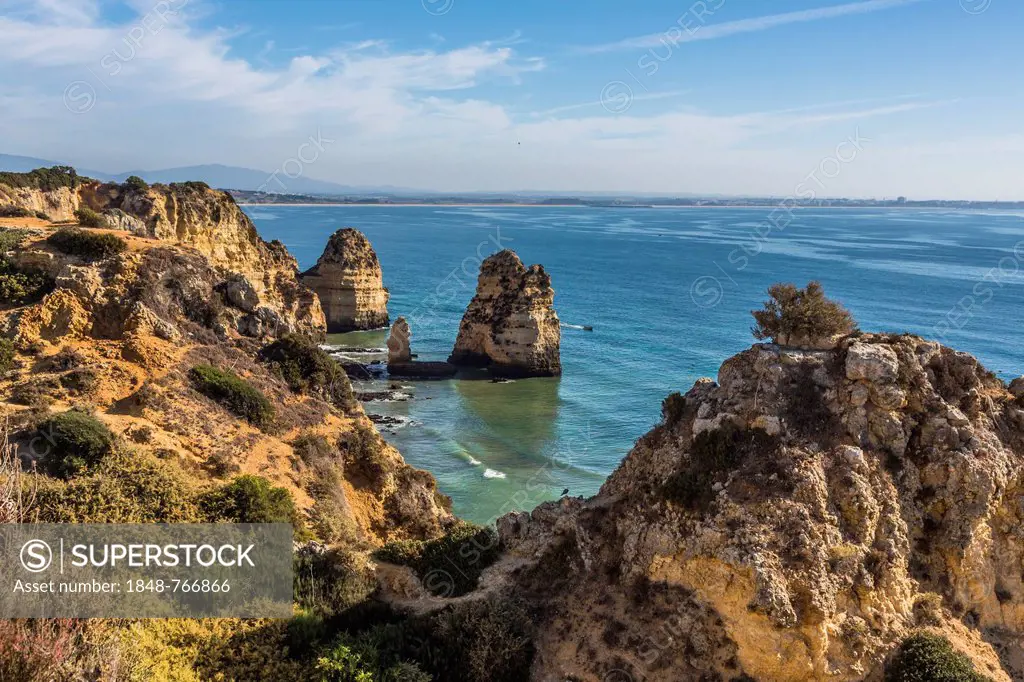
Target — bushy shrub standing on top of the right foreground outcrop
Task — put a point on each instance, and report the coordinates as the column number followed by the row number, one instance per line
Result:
column 793, row 313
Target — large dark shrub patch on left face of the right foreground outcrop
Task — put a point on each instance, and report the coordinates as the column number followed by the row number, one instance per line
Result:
column 713, row 455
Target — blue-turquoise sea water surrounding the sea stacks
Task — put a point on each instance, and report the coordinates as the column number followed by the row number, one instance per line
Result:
column 668, row 293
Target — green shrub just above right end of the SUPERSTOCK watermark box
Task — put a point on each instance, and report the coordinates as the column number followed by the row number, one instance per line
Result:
column 251, row 500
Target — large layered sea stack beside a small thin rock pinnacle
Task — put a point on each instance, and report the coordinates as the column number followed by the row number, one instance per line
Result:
column 510, row 326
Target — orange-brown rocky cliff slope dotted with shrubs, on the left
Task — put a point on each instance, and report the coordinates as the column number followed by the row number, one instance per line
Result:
column 119, row 334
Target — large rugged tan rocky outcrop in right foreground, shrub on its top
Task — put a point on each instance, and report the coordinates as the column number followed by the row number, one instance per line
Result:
column 795, row 521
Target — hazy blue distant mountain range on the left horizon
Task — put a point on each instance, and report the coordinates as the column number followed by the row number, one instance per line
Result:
column 217, row 176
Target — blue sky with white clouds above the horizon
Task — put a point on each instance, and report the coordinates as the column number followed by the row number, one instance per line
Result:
column 922, row 99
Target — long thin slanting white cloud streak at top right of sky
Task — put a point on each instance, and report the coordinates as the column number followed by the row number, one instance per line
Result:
column 715, row 31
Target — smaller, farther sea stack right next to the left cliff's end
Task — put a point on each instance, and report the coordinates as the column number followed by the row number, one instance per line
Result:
column 348, row 278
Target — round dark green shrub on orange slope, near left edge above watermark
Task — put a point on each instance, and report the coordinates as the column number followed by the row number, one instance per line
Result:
column 73, row 443
